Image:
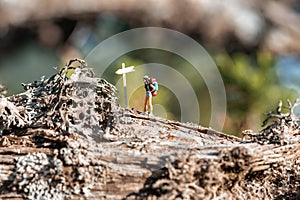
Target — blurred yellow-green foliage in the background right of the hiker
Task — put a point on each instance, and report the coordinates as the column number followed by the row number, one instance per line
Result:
column 252, row 88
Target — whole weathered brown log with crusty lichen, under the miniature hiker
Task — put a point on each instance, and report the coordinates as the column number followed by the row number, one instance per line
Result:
column 140, row 157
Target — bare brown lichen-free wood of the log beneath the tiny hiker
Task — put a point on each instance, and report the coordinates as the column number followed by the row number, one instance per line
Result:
column 124, row 162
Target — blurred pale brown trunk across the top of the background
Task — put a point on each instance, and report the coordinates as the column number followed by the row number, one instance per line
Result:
column 272, row 24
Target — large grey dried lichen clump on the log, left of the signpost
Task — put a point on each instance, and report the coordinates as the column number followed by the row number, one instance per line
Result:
column 79, row 103
